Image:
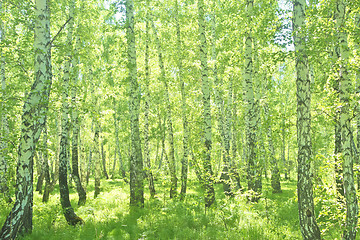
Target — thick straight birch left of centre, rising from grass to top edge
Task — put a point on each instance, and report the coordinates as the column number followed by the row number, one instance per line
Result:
column 136, row 161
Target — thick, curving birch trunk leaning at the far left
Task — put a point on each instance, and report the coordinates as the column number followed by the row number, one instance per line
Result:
column 33, row 120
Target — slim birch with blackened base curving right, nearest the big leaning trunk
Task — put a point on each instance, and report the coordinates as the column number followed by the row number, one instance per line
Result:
column 68, row 211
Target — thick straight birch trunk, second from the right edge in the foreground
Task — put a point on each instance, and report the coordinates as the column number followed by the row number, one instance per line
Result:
column 308, row 226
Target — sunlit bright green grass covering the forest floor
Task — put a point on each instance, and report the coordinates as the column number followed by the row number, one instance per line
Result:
column 274, row 216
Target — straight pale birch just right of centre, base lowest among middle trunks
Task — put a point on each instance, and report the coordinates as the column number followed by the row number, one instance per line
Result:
column 205, row 88
